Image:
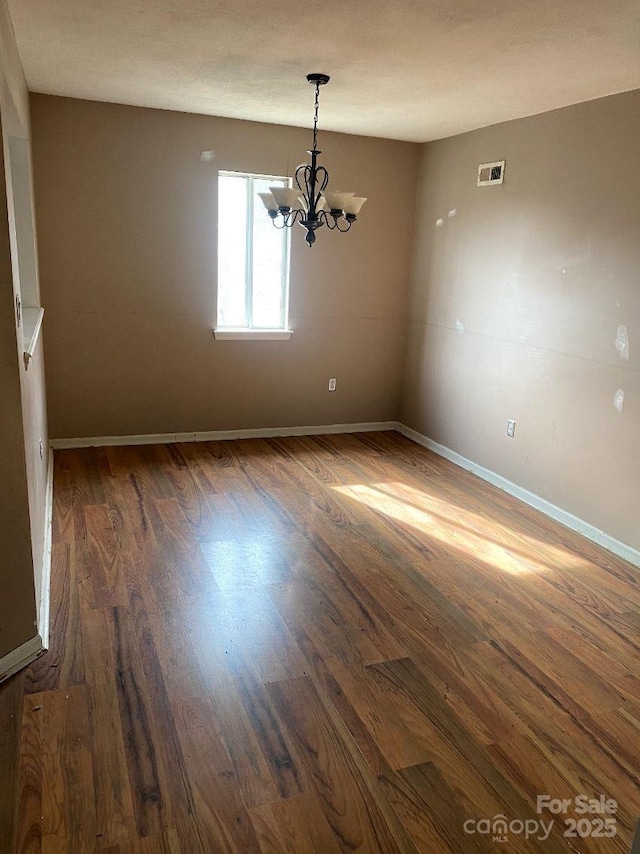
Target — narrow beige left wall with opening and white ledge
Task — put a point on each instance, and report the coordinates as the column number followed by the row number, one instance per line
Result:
column 22, row 413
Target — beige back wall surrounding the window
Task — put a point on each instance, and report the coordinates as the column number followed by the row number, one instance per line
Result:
column 126, row 216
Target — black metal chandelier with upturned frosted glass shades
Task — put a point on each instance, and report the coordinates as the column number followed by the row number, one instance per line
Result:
column 310, row 203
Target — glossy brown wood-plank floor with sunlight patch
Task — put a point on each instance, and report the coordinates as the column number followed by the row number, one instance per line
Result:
column 322, row 644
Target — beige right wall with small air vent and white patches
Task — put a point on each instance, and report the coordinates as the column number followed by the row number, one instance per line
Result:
column 540, row 272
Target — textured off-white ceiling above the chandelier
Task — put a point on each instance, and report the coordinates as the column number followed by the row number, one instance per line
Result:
column 406, row 69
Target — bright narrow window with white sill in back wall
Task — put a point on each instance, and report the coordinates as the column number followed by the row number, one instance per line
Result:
column 253, row 260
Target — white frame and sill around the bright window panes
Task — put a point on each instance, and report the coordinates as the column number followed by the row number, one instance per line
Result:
column 250, row 331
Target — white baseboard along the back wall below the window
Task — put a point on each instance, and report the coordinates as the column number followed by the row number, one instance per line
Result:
column 220, row 435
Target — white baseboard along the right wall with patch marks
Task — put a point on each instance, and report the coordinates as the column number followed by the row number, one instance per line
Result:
column 567, row 519
